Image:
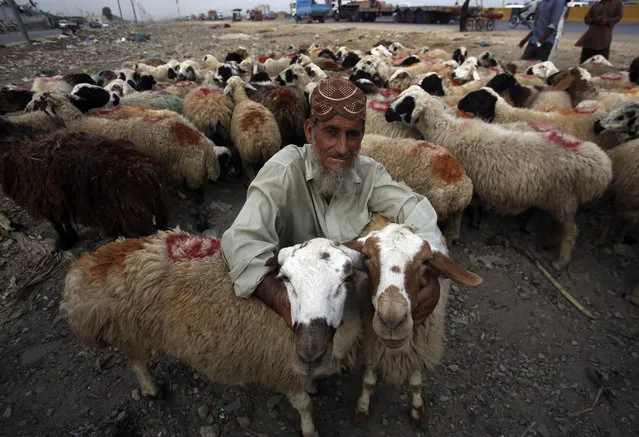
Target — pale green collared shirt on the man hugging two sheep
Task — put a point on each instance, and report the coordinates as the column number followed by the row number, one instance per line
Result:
column 284, row 207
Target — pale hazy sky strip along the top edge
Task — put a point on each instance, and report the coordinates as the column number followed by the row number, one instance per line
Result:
column 166, row 8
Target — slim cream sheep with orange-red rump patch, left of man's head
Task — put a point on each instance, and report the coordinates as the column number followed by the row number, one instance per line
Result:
column 254, row 130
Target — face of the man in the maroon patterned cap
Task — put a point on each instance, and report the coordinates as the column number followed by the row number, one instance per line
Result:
column 337, row 140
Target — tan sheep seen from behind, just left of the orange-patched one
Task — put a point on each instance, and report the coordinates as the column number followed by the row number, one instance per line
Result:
column 210, row 111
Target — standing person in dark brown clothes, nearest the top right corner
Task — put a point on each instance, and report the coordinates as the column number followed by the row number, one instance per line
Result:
column 601, row 18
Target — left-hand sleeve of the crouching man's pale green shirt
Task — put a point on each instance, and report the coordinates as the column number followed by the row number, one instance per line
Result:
column 253, row 237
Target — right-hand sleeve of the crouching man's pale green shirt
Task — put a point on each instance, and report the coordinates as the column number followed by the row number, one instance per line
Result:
column 404, row 206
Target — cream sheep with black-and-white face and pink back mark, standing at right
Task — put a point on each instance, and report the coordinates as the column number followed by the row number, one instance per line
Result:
column 544, row 169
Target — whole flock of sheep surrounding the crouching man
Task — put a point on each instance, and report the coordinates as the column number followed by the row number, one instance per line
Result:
column 104, row 151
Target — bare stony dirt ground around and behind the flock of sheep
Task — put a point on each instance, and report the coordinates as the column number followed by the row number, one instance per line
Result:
column 520, row 359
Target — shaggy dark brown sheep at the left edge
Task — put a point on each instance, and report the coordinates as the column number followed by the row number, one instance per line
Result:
column 88, row 179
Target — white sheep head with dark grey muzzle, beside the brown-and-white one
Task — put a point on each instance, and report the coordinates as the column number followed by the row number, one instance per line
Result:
column 315, row 274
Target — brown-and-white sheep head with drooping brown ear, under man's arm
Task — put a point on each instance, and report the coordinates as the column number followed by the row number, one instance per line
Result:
column 396, row 259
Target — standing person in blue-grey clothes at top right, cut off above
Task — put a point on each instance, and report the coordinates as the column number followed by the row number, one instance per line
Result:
column 541, row 38
